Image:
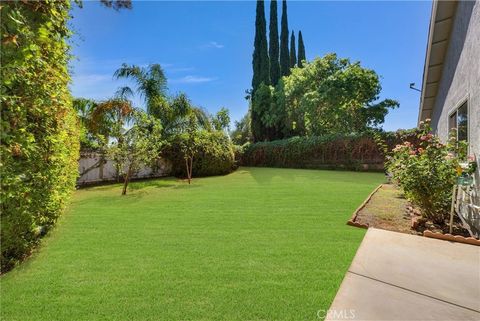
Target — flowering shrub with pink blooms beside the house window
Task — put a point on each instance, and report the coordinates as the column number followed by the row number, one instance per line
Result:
column 426, row 171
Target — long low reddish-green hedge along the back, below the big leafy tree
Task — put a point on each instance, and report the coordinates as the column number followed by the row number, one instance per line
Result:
column 352, row 152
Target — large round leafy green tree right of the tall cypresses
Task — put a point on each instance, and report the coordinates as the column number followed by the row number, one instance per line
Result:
column 332, row 95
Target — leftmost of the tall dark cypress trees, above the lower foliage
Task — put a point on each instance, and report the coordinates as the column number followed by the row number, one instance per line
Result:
column 261, row 63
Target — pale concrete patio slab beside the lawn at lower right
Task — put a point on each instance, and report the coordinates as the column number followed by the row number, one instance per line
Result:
column 397, row 276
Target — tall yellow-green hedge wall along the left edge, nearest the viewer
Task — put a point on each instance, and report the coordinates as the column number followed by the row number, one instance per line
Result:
column 39, row 132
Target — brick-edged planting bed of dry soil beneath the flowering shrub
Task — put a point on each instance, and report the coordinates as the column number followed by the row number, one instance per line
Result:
column 386, row 208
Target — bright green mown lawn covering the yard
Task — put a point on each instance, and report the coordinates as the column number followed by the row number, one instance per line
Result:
column 259, row 244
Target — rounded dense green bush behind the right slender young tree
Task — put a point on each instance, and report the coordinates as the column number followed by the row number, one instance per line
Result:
column 215, row 157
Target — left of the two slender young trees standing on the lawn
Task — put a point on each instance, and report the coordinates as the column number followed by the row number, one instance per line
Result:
column 140, row 146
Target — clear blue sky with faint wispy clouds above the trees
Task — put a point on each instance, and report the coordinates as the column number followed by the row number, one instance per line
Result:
column 206, row 47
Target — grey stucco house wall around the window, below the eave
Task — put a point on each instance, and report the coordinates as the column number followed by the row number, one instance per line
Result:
column 461, row 75
